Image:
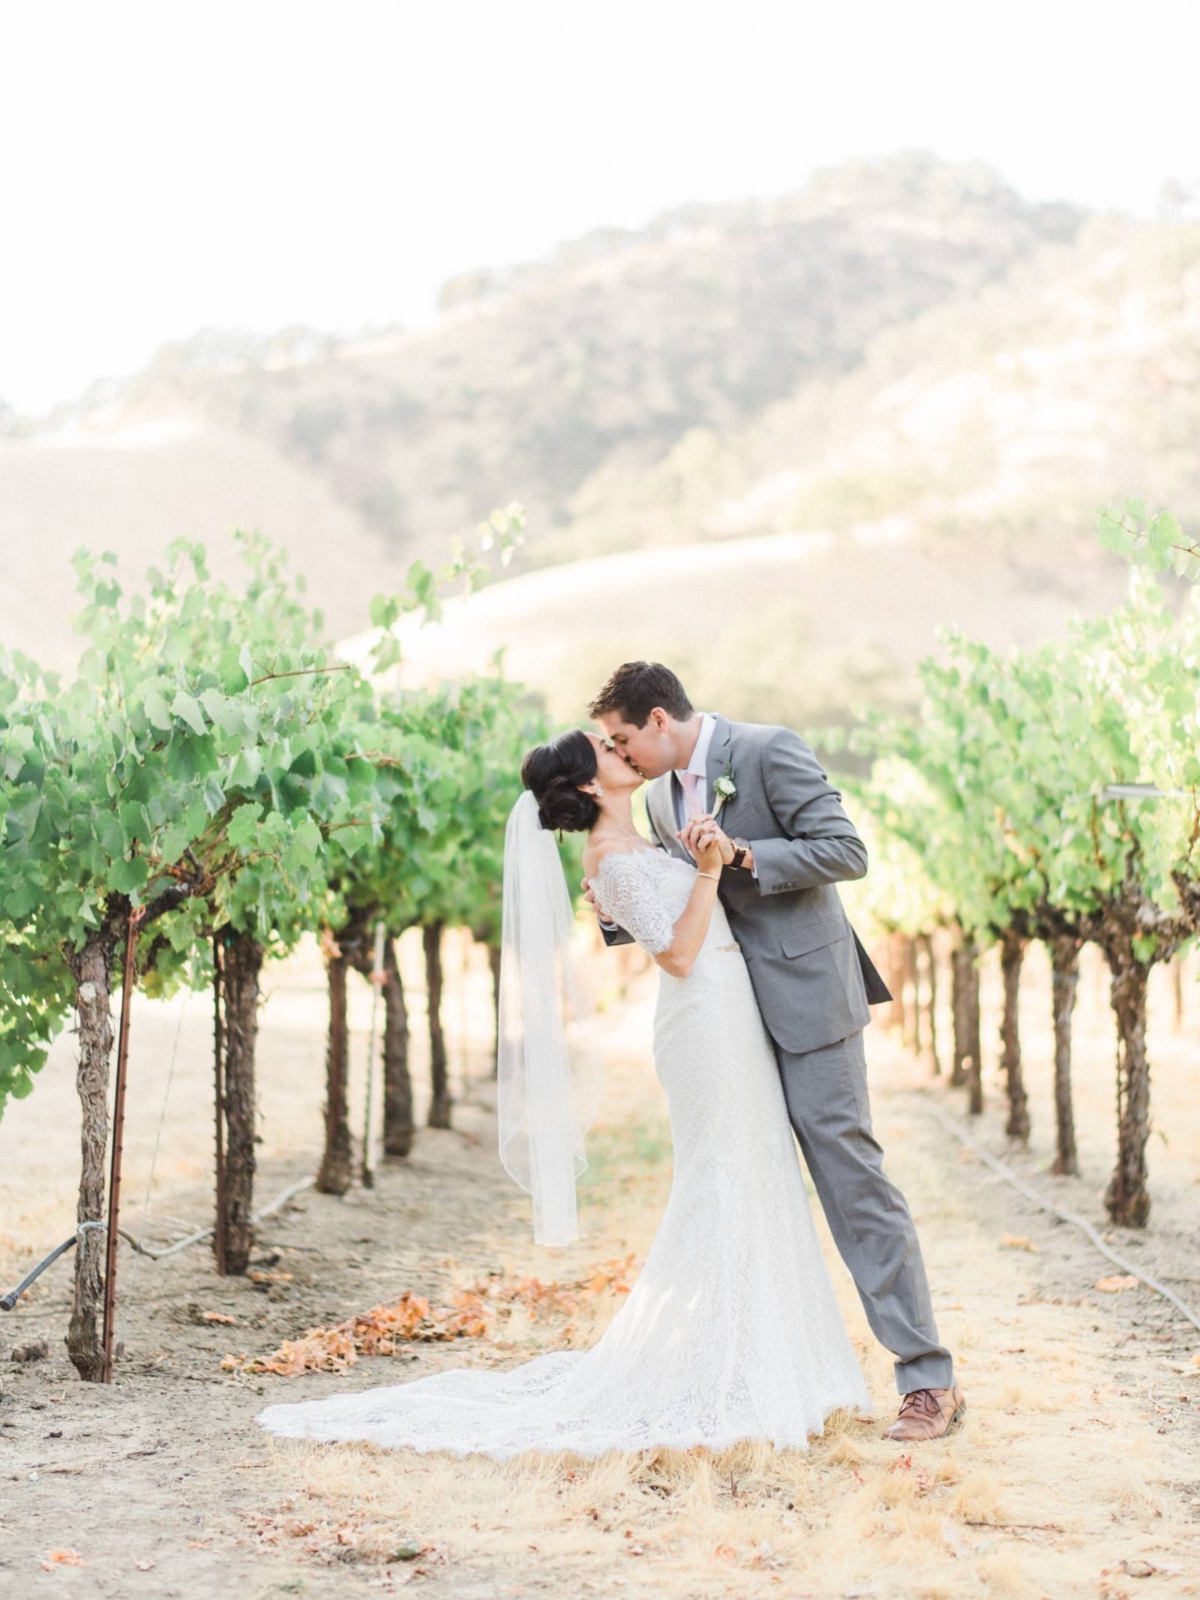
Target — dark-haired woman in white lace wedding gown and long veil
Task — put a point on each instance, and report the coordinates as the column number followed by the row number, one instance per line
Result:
column 732, row 1330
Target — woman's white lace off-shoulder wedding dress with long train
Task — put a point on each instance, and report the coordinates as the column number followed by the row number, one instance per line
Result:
column 732, row 1330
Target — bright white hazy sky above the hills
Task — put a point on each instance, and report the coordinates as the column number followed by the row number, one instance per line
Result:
column 177, row 166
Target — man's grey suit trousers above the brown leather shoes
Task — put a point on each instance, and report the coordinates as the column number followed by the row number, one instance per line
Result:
column 871, row 1223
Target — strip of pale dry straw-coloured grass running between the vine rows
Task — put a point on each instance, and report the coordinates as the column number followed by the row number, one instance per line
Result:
column 1049, row 1481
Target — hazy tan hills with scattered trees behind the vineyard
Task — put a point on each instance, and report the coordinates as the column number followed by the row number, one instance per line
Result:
column 775, row 444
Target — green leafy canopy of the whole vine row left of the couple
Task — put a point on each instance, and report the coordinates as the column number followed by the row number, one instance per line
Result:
column 214, row 767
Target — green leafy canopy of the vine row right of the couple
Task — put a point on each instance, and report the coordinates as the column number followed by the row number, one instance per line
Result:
column 1002, row 785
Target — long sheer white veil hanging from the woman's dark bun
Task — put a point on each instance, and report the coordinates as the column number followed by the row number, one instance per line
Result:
column 550, row 1073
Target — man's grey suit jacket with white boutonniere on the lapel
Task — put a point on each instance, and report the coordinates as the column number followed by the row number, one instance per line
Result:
column 810, row 974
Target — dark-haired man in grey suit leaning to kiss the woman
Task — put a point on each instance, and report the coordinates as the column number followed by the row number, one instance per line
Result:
column 786, row 844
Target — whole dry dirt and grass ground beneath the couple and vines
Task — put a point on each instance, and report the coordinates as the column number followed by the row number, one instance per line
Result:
column 1076, row 1473
